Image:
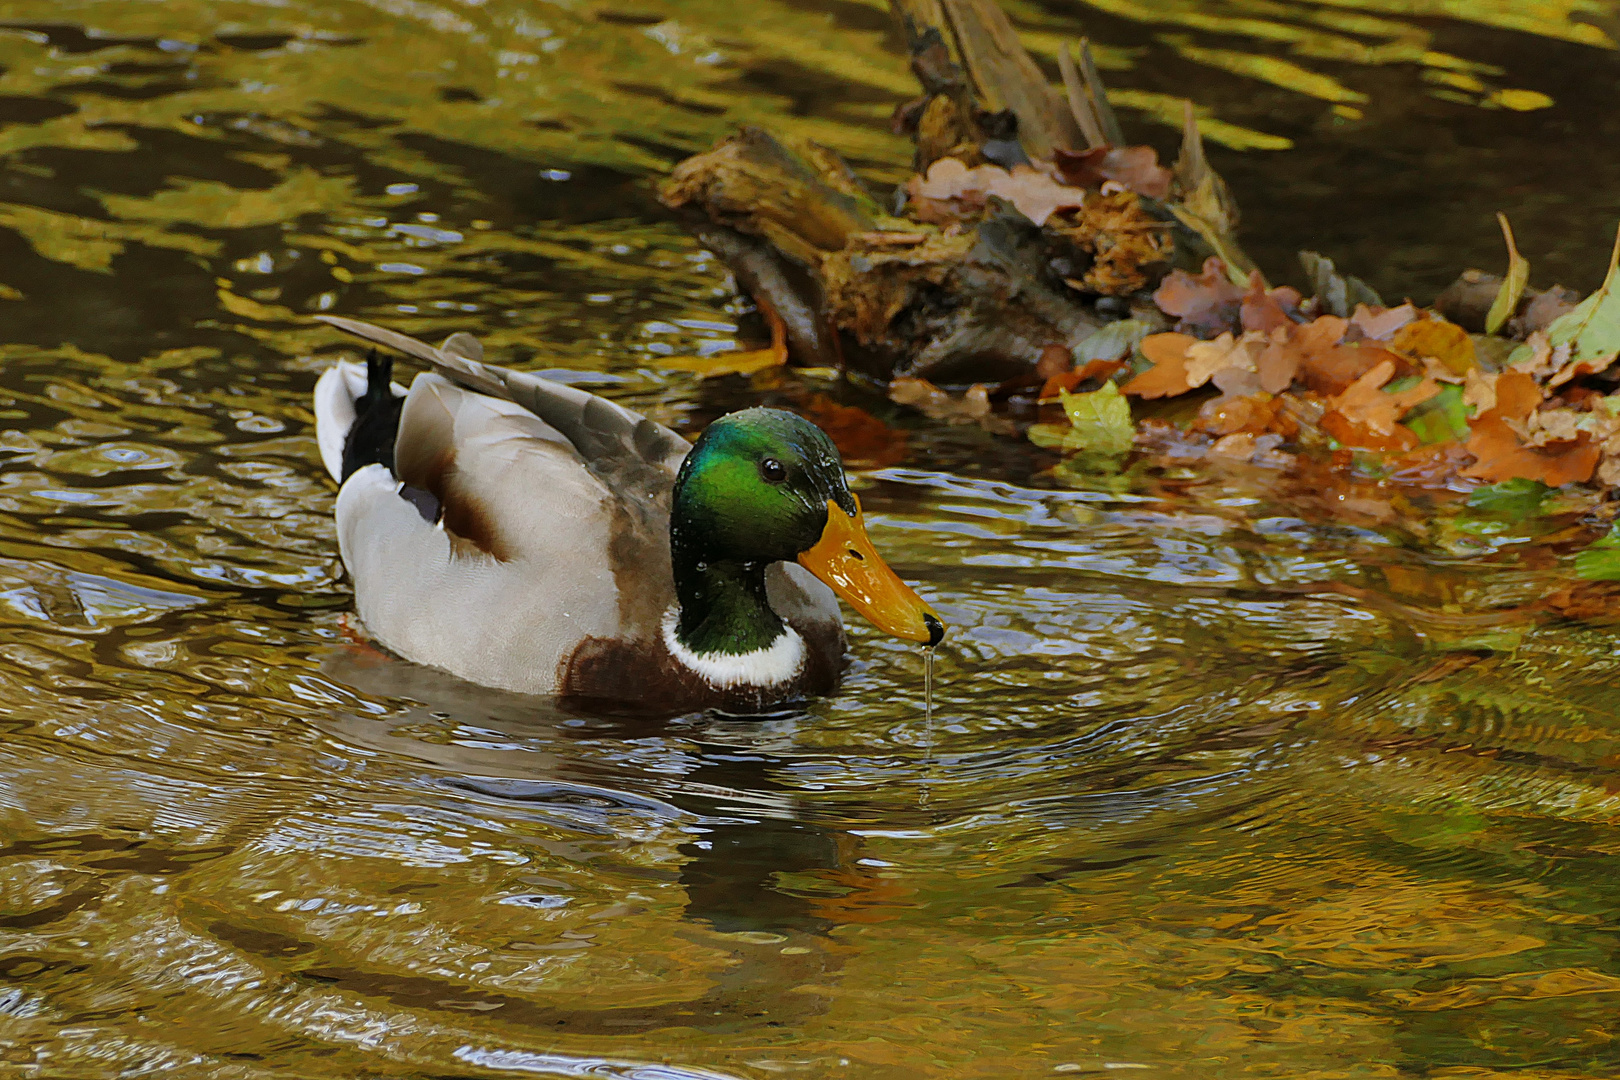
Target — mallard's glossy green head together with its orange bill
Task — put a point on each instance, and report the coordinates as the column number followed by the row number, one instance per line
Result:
column 769, row 487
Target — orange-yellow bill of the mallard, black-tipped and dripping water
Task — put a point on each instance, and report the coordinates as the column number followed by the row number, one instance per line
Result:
column 851, row 566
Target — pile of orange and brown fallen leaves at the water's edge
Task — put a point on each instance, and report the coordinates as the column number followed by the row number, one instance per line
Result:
column 1394, row 389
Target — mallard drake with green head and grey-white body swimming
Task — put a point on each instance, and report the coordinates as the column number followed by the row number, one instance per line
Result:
column 527, row 535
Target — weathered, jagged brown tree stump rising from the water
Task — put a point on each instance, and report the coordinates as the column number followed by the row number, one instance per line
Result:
column 1028, row 227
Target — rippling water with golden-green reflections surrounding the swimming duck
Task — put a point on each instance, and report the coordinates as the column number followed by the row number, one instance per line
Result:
column 1224, row 773
